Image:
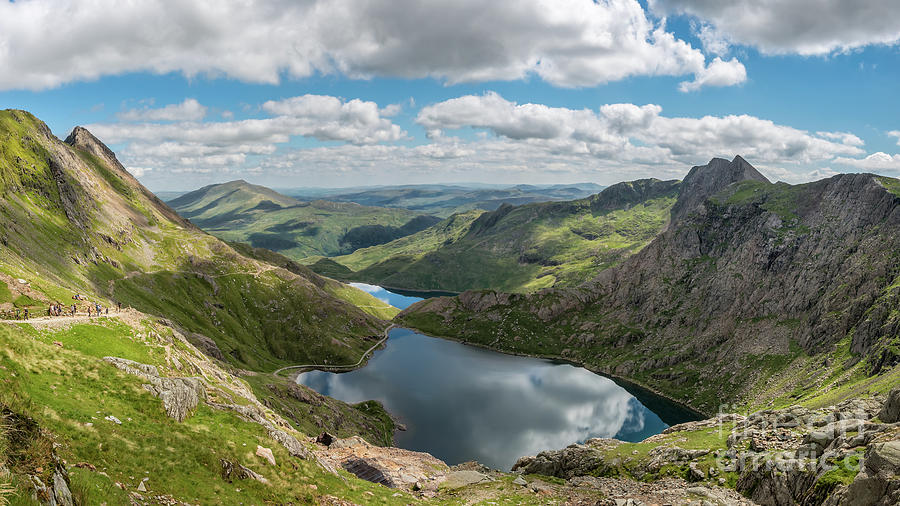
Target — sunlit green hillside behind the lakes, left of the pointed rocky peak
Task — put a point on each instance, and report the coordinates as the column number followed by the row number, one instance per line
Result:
column 521, row 248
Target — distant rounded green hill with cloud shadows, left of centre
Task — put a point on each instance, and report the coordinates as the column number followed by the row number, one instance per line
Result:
column 241, row 212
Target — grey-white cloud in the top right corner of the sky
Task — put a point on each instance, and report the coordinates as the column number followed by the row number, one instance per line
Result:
column 806, row 27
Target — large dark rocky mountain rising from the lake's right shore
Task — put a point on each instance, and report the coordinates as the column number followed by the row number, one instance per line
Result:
column 755, row 293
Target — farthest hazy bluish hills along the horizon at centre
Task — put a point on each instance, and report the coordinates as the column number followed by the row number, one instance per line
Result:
column 446, row 200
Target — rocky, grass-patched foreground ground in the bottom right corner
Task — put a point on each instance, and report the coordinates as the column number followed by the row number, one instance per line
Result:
column 837, row 455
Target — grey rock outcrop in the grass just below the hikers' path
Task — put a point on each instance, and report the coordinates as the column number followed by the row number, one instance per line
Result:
column 179, row 395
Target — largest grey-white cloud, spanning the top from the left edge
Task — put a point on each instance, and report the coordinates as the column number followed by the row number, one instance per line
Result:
column 565, row 42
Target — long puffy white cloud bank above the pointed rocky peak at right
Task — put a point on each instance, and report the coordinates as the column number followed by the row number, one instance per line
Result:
column 632, row 133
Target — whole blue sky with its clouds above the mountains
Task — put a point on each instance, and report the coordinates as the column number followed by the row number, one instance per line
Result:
column 345, row 93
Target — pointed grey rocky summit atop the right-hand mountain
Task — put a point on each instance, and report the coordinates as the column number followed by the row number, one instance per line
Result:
column 704, row 181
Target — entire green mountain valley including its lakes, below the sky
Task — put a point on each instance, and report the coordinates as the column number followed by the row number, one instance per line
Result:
column 198, row 364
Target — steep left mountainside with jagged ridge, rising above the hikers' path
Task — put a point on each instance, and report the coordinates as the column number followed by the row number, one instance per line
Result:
column 73, row 220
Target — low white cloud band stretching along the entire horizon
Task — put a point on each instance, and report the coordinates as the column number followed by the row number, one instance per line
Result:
column 521, row 142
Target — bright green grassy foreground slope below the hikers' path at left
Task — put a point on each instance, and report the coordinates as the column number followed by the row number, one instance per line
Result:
column 55, row 399
